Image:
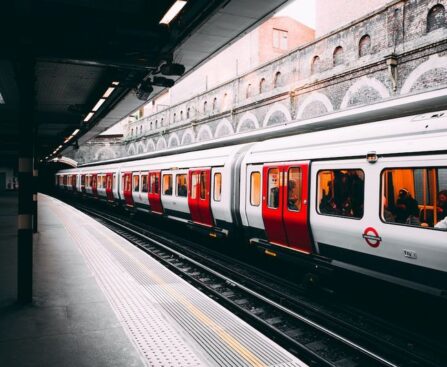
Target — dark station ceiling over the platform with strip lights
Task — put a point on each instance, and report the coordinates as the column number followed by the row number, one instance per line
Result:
column 81, row 48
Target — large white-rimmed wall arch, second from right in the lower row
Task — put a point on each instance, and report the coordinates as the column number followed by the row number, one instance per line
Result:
column 364, row 91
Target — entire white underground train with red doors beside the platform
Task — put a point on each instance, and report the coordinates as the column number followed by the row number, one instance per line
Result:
column 369, row 198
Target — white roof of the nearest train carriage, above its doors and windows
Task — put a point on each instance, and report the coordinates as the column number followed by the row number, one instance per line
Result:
column 403, row 135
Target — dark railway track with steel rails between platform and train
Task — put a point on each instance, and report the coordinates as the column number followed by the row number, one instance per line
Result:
column 308, row 330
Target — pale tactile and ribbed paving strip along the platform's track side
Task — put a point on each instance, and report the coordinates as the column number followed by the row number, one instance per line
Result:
column 171, row 322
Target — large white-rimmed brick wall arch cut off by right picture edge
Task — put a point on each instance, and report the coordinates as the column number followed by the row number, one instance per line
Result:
column 434, row 64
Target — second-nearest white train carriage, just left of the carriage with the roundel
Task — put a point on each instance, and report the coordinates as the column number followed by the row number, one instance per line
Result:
column 191, row 187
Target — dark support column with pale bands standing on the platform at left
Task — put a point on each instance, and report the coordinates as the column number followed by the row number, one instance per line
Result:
column 25, row 81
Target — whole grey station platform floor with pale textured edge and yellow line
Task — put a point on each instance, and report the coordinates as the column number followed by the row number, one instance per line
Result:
column 100, row 301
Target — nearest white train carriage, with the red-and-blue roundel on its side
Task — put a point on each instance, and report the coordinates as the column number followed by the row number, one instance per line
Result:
column 337, row 194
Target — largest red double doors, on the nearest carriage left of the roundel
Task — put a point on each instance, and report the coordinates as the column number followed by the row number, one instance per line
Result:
column 285, row 205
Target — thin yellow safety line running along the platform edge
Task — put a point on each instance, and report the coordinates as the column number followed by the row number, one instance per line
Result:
column 198, row 314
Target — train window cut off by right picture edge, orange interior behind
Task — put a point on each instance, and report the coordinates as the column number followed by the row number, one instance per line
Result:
column 415, row 196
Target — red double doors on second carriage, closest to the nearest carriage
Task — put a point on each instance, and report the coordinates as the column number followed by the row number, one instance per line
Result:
column 199, row 196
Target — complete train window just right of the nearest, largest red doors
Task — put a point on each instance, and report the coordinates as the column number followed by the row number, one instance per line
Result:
column 341, row 192
